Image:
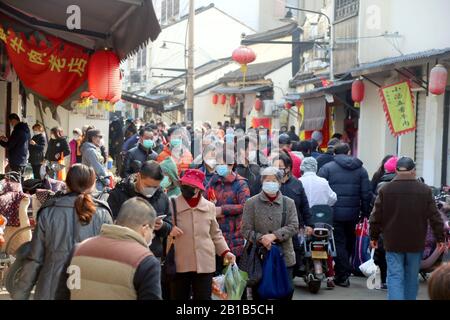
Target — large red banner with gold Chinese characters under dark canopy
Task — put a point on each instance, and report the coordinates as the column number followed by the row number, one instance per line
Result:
column 53, row 69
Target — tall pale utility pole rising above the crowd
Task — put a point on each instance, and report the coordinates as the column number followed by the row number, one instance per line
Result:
column 189, row 112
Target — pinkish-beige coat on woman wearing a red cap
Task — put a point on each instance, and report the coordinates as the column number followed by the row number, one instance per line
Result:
column 202, row 239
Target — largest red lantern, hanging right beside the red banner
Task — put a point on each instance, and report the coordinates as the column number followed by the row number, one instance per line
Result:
column 104, row 76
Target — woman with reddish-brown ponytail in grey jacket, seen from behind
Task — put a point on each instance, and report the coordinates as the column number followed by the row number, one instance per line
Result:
column 63, row 222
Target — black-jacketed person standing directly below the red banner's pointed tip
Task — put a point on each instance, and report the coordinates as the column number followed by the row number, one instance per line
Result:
column 57, row 150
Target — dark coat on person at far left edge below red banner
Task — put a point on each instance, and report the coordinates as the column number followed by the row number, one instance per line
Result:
column 17, row 144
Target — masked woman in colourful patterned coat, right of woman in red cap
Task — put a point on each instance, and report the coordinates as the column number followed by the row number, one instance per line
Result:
column 229, row 191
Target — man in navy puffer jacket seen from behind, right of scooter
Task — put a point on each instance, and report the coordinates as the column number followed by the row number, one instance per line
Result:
column 350, row 181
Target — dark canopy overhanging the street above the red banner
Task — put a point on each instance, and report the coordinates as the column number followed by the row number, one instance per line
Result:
column 124, row 25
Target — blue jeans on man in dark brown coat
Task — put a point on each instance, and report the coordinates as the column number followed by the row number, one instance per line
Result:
column 402, row 275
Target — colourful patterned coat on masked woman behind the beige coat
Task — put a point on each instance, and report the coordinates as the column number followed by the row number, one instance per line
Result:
column 230, row 194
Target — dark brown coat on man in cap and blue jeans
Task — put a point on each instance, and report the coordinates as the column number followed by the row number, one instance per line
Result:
column 401, row 213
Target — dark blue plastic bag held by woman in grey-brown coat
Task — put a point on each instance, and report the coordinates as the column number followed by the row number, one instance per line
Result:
column 275, row 282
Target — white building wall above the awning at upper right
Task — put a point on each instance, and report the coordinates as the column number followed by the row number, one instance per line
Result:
column 421, row 25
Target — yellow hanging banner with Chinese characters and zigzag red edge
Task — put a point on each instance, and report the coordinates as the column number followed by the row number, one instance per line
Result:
column 398, row 104
